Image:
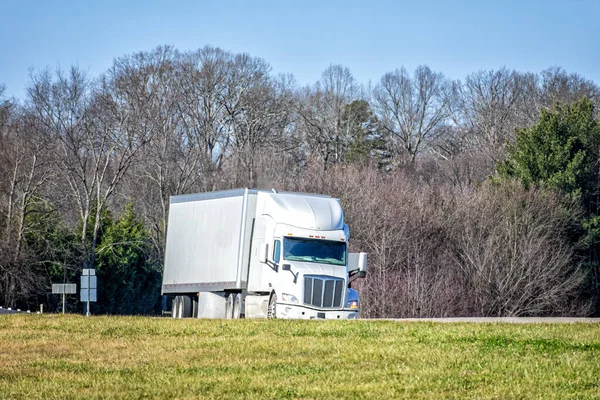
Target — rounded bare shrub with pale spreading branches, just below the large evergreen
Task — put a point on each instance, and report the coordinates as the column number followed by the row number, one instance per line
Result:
column 512, row 247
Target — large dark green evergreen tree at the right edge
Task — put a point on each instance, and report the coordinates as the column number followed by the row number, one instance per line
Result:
column 561, row 152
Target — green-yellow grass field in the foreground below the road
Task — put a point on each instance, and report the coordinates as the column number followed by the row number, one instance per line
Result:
column 72, row 357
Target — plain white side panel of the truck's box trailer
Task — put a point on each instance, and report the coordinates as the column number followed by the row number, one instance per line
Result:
column 208, row 239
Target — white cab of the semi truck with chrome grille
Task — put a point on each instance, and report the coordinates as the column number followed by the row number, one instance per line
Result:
column 303, row 261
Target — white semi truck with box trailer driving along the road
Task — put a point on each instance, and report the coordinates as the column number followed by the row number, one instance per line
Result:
column 260, row 254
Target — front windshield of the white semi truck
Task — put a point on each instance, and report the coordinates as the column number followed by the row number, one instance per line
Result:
column 317, row 251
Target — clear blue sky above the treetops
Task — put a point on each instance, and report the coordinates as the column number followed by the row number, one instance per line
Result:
column 371, row 37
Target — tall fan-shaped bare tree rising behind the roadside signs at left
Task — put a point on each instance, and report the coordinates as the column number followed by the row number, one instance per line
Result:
column 95, row 138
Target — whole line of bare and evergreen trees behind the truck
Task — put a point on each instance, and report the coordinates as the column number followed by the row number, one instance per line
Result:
column 473, row 197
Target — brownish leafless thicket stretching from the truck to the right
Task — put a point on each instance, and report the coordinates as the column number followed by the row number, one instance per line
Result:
column 446, row 251
